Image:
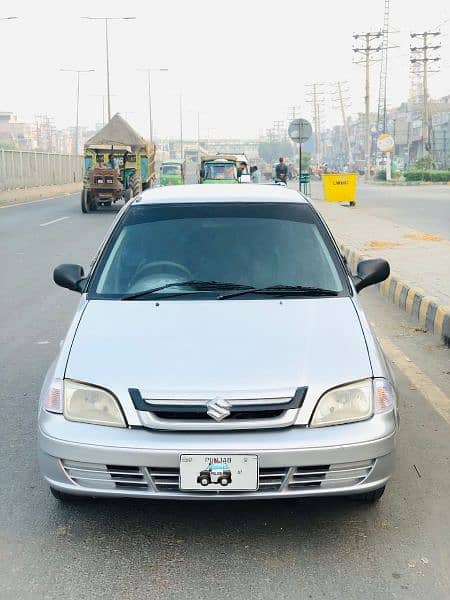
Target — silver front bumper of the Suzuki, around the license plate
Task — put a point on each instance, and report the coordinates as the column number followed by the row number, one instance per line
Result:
column 92, row 460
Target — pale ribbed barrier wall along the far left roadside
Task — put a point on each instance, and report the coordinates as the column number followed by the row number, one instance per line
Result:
column 23, row 169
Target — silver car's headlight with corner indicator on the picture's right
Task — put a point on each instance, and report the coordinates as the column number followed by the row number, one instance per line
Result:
column 354, row 402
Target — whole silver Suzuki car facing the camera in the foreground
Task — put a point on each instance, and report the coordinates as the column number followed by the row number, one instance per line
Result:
column 218, row 331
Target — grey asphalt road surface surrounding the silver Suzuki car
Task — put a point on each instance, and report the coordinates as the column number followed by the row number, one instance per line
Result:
column 333, row 549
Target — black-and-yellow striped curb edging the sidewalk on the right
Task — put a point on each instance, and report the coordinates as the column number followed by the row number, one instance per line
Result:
column 427, row 310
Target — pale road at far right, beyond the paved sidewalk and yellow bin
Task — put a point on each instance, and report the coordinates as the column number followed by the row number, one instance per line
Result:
column 421, row 207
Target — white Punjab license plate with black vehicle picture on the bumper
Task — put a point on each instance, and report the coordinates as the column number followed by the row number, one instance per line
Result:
column 219, row 472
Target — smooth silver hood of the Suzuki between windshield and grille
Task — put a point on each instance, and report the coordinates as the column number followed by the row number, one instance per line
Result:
column 249, row 348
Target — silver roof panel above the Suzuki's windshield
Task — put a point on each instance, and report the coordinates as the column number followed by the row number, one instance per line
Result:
column 219, row 193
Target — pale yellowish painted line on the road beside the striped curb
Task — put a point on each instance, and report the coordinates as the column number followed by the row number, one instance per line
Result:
column 431, row 392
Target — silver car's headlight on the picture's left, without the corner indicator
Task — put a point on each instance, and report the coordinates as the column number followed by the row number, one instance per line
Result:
column 88, row 404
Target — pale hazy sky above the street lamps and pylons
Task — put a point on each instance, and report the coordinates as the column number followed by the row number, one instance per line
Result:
column 239, row 65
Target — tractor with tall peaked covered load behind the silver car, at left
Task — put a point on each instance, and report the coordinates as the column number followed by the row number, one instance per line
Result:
column 118, row 164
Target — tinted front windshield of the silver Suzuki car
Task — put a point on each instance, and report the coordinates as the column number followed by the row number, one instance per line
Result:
column 241, row 244
